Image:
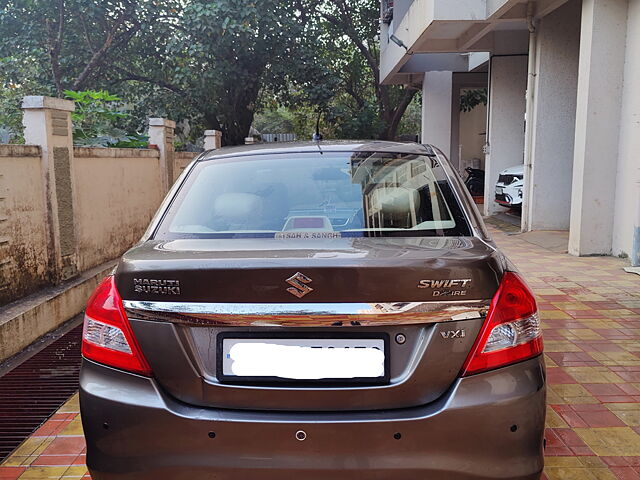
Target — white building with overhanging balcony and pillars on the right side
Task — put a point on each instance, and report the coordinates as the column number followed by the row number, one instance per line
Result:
column 564, row 99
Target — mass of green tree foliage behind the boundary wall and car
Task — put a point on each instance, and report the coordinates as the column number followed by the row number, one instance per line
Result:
column 205, row 64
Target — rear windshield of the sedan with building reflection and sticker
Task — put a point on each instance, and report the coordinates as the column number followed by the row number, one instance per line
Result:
column 313, row 195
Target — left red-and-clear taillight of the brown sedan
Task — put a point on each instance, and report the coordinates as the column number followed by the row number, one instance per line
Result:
column 107, row 336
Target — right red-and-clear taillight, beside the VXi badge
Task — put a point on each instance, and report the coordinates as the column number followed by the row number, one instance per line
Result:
column 511, row 332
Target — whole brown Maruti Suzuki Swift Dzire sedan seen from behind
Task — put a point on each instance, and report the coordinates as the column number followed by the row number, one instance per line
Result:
column 314, row 311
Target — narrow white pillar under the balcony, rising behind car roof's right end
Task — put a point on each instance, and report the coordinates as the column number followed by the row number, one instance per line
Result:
column 436, row 110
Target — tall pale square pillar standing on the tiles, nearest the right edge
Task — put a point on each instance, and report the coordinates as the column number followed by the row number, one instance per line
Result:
column 602, row 44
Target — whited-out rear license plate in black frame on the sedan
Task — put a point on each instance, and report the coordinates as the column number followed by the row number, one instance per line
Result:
column 302, row 358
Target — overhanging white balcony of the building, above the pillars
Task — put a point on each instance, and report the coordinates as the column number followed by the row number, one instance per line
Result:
column 423, row 28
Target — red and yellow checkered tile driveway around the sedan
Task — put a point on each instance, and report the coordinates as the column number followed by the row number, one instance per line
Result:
column 591, row 317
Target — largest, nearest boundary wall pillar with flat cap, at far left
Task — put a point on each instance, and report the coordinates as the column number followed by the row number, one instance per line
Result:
column 47, row 123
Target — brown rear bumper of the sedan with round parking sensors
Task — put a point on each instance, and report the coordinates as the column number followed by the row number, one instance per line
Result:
column 488, row 426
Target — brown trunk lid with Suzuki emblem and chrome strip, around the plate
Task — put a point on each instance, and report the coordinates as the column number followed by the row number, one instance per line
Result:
column 426, row 296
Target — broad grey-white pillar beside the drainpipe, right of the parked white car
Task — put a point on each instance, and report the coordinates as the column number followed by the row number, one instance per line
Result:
column 548, row 205
